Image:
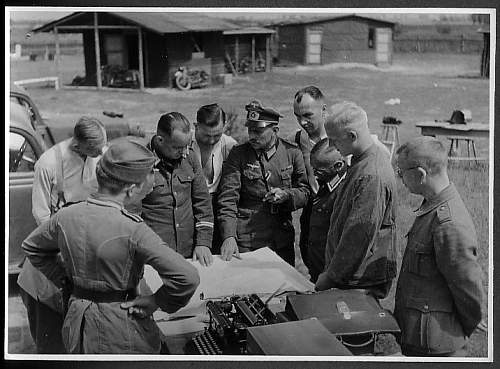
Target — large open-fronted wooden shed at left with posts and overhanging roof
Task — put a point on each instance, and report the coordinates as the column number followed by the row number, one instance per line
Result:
column 151, row 44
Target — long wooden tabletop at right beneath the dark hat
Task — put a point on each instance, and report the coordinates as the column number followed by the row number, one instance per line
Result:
column 469, row 130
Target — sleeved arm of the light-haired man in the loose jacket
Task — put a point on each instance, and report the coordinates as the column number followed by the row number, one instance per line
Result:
column 358, row 234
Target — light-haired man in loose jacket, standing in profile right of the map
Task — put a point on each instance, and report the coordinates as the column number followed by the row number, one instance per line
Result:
column 361, row 243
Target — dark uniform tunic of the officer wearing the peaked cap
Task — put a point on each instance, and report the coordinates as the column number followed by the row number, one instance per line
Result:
column 241, row 211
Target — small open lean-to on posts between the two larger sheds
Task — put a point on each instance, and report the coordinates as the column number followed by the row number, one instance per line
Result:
column 250, row 46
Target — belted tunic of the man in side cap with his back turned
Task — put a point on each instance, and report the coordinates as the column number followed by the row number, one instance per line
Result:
column 105, row 248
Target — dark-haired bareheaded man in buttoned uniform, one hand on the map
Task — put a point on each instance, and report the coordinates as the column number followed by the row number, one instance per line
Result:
column 179, row 208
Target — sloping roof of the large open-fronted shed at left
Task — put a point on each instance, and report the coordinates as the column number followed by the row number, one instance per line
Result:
column 159, row 22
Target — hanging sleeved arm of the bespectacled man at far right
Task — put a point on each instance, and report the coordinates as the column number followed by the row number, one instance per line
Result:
column 456, row 248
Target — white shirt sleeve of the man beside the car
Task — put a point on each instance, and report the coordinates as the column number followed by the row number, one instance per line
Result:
column 42, row 191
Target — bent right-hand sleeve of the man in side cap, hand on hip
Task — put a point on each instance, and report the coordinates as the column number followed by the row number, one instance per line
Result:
column 180, row 278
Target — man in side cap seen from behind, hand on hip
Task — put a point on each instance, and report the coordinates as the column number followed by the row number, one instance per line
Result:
column 105, row 248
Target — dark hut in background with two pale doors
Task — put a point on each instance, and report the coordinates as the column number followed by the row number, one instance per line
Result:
column 342, row 38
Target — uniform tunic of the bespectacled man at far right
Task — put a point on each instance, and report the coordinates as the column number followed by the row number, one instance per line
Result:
column 439, row 292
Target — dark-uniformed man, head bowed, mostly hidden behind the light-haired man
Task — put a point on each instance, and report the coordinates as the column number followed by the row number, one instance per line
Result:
column 330, row 170
